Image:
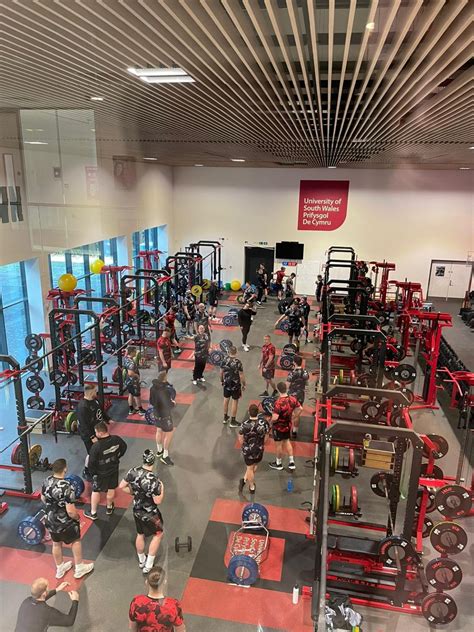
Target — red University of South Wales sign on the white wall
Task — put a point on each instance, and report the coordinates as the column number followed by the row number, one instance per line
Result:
column 323, row 204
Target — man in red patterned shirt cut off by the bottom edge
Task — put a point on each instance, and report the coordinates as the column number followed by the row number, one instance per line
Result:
column 154, row 612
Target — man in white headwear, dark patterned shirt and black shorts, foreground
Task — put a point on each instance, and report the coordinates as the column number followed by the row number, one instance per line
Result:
column 148, row 493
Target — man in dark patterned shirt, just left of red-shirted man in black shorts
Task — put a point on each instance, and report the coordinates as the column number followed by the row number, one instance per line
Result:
column 252, row 438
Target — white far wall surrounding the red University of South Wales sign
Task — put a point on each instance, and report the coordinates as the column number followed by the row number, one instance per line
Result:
column 409, row 217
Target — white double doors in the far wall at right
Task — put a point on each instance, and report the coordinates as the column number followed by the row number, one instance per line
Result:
column 449, row 279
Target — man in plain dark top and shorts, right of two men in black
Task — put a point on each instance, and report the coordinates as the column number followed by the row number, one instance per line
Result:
column 163, row 404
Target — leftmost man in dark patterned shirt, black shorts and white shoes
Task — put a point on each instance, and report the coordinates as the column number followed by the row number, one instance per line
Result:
column 62, row 520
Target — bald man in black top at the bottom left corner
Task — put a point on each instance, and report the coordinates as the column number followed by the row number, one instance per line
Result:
column 36, row 616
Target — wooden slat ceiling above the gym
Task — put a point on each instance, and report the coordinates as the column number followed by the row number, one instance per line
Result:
column 277, row 82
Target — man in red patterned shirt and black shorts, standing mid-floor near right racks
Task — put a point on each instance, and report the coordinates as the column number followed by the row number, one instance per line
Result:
column 282, row 420
